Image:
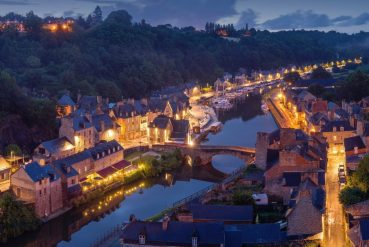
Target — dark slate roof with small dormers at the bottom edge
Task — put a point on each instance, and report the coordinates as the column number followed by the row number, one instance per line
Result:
column 177, row 233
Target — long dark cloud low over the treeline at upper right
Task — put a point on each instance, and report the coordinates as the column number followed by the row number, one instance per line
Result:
column 297, row 20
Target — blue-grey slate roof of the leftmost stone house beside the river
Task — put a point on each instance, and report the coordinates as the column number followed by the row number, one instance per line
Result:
column 37, row 172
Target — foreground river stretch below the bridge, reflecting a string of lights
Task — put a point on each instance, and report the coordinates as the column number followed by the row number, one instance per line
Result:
column 83, row 226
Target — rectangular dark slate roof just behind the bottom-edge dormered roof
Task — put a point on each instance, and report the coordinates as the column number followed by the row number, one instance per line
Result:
column 221, row 213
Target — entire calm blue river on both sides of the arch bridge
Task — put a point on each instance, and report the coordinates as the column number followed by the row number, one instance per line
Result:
column 83, row 227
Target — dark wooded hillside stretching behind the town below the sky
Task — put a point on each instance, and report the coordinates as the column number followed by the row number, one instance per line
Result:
column 116, row 57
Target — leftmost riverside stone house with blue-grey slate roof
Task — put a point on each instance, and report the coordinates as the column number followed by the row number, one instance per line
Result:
column 40, row 186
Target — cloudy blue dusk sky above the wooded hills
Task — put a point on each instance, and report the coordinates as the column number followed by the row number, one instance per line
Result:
column 349, row 16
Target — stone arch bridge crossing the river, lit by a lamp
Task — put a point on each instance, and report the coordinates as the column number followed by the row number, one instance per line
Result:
column 203, row 154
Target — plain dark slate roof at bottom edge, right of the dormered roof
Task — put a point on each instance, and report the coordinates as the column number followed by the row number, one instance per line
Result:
column 253, row 234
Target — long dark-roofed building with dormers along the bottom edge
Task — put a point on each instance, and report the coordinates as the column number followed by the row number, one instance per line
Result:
column 176, row 233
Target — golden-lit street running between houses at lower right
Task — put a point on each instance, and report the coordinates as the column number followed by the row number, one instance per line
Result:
column 334, row 234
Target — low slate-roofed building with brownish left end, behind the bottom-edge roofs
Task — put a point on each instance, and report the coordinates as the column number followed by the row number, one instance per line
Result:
column 217, row 213
